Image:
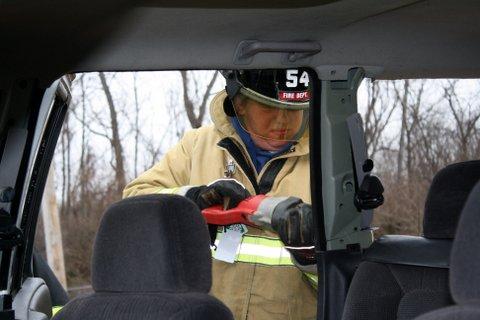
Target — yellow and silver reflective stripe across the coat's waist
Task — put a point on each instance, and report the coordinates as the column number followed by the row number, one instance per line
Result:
column 261, row 250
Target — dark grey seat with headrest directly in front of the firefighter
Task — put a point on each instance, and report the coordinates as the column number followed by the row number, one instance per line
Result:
column 151, row 260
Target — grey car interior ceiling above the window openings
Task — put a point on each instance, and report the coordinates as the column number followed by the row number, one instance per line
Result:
column 391, row 39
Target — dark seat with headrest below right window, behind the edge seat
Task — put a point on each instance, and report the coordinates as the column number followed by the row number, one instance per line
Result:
column 402, row 277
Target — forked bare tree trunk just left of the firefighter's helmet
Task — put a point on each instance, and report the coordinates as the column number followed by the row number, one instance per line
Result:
column 191, row 105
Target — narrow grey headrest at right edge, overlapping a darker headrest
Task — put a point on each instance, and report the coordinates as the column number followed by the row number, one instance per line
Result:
column 465, row 258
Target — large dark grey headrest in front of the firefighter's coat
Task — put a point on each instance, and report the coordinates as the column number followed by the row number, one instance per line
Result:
column 153, row 243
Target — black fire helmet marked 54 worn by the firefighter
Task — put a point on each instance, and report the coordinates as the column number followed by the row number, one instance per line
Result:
column 278, row 88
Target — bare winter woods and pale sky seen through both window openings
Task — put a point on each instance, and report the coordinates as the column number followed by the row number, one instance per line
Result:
column 120, row 124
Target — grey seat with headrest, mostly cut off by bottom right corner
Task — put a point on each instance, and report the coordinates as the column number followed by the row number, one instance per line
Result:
column 465, row 266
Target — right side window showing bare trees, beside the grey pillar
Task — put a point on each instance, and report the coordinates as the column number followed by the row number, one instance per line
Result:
column 413, row 129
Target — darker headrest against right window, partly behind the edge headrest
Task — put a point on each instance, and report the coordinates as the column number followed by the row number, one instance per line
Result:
column 446, row 197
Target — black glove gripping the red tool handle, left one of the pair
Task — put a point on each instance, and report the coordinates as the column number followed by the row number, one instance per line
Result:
column 222, row 191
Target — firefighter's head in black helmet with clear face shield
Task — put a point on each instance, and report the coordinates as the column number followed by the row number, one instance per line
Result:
column 271, row 104
